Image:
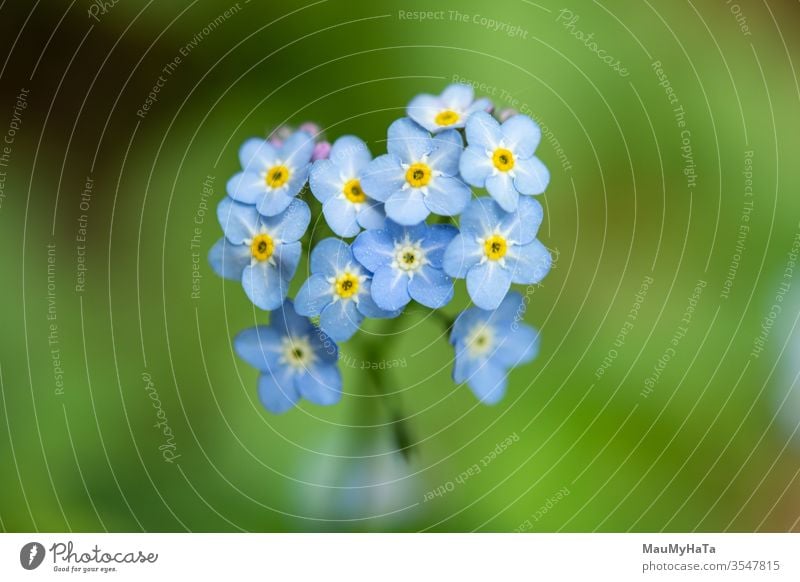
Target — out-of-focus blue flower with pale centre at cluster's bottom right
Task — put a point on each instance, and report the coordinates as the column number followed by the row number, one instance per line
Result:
column 489, row 343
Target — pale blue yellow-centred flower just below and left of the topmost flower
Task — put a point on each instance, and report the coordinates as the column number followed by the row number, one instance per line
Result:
column 419, row 175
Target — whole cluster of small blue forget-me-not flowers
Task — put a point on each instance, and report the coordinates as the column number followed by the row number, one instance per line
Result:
column 415, row 226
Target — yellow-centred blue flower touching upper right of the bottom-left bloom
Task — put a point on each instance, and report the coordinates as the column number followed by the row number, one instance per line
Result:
column 338, row 291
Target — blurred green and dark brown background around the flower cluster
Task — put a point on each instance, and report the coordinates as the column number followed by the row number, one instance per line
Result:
column 609, row 430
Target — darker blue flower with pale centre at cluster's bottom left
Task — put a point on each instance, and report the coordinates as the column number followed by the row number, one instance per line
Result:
column 295, row 358
